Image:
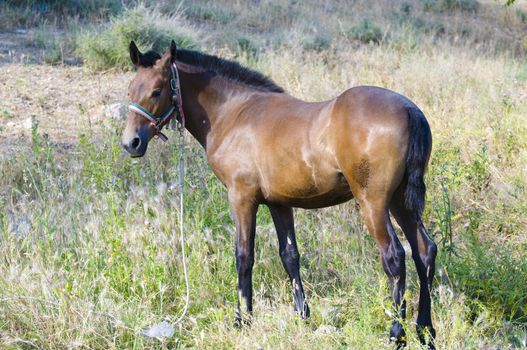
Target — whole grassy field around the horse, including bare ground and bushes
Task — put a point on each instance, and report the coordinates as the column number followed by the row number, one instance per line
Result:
column 89, row 249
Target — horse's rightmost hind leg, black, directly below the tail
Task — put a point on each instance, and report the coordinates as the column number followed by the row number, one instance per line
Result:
column 424, row 252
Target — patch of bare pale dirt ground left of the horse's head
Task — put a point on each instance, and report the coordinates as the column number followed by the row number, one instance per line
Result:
column 61, row 99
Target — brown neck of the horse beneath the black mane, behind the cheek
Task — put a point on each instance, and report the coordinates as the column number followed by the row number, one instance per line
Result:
column 207, row 99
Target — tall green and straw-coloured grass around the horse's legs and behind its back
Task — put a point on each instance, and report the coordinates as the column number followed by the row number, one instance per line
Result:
column 112, row 267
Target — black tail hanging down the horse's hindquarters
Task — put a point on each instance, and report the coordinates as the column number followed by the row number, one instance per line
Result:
column 420, row 144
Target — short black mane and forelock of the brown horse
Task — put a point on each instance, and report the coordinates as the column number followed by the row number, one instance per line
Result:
column 226, row 68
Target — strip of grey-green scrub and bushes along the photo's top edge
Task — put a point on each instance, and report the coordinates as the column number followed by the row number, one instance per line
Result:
column 107, row 26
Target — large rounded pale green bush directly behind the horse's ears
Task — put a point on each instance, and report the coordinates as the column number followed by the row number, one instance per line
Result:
column 109, row 49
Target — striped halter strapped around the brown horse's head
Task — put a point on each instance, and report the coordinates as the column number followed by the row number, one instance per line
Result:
column 177, row 105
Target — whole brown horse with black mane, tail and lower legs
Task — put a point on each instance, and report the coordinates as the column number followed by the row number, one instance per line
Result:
column 270, row 148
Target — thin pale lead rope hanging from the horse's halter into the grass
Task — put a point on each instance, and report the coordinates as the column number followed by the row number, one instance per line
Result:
column 181, row 185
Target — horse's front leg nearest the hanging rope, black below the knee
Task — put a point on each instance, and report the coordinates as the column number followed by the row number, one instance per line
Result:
column 244, row 209
